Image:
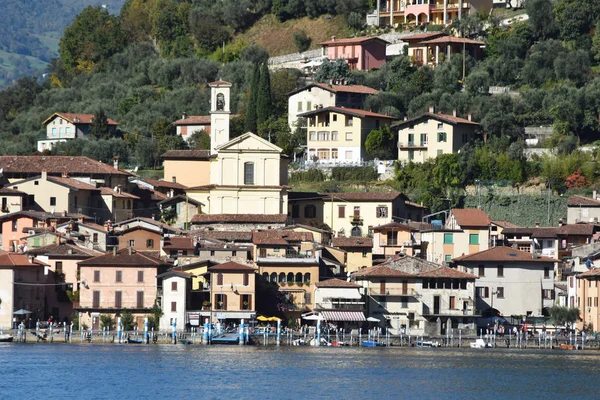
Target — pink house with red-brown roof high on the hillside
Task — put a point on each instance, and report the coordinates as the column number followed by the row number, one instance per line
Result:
column 361, row 53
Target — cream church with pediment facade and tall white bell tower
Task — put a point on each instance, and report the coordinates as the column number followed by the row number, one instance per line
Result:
column 246, row 175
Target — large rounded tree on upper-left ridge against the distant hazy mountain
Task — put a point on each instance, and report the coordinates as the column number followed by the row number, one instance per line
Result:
column 93, row 36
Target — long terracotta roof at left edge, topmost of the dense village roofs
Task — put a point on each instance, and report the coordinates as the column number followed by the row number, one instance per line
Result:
column 57, row 165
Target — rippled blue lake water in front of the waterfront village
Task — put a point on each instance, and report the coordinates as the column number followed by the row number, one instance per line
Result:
column 87, row 371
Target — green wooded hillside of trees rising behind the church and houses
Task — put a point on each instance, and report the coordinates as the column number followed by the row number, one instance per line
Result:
column 150, row 64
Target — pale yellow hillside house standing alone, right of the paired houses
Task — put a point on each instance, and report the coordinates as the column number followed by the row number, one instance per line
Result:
column 431, row 135
